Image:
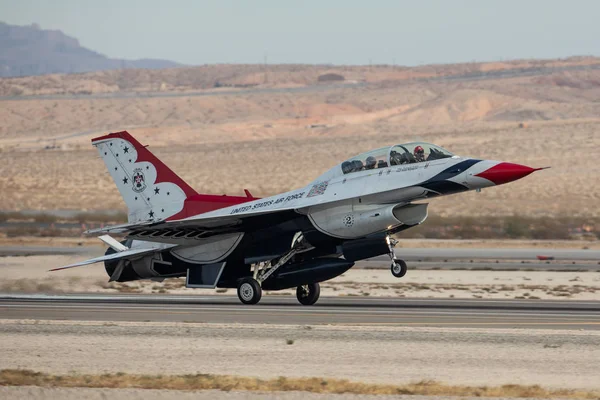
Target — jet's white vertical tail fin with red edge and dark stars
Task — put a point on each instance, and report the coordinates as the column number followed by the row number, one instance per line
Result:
column 150, row 189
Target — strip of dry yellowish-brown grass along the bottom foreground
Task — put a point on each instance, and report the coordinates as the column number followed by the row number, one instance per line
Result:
column 204, row 384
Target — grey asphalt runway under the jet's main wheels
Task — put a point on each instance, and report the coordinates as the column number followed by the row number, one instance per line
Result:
column 285, row 310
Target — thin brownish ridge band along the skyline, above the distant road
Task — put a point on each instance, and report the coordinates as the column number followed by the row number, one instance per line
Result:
column 227, row 76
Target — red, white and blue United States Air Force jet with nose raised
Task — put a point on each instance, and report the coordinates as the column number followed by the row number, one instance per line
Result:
column 292, row 240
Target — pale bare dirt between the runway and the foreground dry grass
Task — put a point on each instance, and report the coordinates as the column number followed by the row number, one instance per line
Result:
column 370, row 354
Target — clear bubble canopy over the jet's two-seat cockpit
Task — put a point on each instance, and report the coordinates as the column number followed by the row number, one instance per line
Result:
column 399, row 154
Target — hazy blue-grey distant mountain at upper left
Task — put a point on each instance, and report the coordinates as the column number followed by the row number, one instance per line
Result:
column 29, row 50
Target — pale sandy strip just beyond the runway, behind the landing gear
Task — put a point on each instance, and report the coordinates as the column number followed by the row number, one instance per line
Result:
column 30, row 275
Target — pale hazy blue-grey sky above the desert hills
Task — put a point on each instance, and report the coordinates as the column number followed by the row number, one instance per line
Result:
column 335, row 31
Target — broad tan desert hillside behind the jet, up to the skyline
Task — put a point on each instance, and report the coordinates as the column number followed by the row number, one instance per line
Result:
column 270, row 140
